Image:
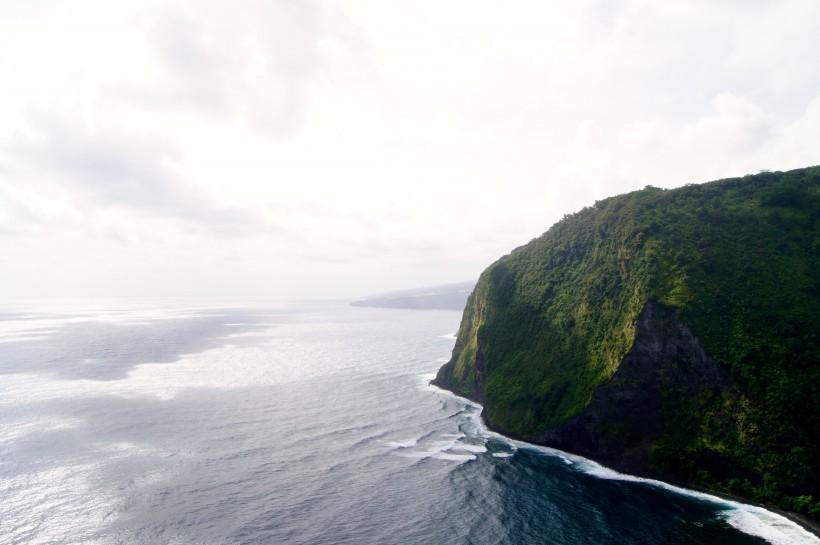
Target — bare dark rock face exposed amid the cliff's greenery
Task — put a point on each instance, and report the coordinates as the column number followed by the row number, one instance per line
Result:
column 667, row 364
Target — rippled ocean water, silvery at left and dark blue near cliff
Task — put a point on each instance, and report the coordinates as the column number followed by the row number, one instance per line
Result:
column 314, row 426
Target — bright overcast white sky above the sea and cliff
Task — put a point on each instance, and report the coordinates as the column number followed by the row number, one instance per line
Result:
column 292, row 149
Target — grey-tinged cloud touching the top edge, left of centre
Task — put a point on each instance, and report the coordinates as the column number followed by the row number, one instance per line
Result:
column 258, row 62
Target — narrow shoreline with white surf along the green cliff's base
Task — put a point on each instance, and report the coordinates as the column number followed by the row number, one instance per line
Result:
column 808, row 525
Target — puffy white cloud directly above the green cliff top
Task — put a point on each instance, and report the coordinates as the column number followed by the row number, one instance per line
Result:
column 738, row 136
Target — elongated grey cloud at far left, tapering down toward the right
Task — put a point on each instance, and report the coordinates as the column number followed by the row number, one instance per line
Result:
column 138, row 171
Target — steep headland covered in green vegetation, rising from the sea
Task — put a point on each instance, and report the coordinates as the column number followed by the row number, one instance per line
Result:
column 666, row 333
